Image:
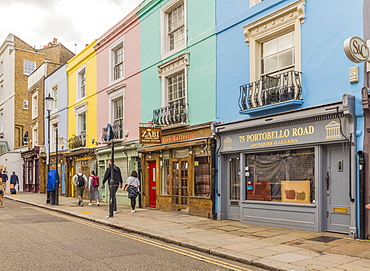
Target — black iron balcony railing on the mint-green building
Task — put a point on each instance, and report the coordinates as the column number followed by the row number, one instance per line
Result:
column 175, row 113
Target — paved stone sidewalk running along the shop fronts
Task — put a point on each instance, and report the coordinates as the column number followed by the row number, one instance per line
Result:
column 268, row 247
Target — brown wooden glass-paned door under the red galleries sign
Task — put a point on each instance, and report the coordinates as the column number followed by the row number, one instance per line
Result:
column 179, row 183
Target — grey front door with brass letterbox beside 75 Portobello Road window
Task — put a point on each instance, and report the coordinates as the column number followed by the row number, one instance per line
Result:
column 337, row 190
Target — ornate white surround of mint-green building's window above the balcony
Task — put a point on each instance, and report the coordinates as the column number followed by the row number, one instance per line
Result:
column 171, row 68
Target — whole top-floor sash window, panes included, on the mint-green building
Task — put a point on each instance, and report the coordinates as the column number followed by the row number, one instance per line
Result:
column 174, row 27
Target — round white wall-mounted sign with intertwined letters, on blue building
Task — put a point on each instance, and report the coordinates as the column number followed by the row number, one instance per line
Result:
column 356, row 49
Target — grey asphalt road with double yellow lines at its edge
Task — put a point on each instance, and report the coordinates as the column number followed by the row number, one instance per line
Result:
column 34, row 238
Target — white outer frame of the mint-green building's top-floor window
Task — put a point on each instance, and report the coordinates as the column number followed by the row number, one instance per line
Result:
column 165, row 10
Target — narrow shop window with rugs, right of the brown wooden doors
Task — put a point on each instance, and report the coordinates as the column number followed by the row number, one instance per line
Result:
column 202, row 176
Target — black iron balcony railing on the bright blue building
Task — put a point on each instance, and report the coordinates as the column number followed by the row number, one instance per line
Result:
column 271, row 89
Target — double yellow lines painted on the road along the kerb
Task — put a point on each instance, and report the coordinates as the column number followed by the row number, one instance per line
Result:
column 106, row 228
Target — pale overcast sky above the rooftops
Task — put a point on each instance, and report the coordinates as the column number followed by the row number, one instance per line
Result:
column 72, row 22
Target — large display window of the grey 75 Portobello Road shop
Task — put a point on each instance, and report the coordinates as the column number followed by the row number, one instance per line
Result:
column 284, row 176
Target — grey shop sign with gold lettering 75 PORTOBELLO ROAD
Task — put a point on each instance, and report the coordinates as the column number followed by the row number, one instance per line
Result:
column 312, row 132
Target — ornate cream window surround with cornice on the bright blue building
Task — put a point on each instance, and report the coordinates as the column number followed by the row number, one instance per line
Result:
column 277, row 23
